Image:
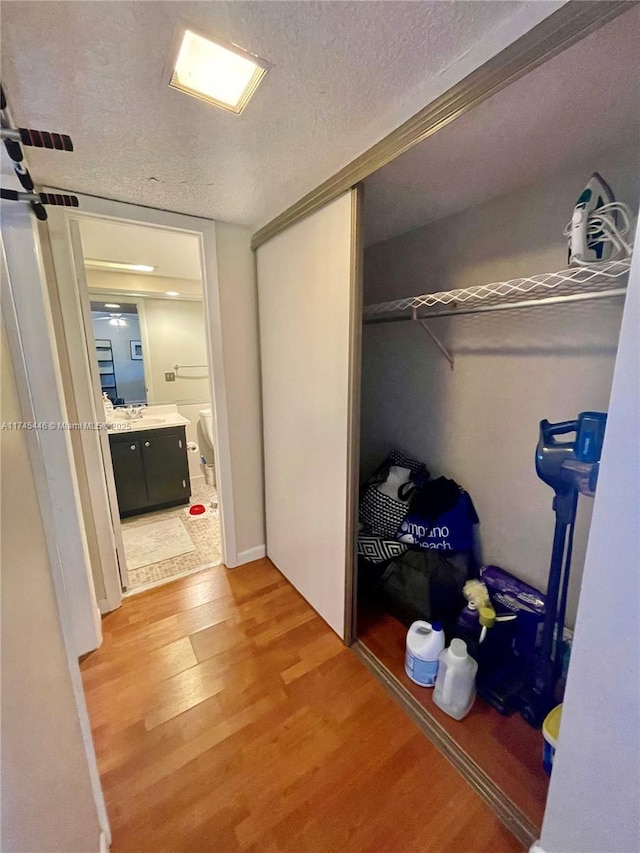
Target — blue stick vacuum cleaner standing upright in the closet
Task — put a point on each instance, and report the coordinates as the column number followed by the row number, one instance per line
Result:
column 571, row 469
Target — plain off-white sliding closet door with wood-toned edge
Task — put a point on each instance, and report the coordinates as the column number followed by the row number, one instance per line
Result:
column 310, row 298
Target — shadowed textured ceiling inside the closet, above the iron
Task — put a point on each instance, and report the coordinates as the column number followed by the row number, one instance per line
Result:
column 578, row 105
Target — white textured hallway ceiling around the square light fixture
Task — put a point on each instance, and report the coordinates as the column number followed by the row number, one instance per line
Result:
column 344, row 74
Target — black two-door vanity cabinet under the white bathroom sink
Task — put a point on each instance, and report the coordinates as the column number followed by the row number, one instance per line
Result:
column 150, row 469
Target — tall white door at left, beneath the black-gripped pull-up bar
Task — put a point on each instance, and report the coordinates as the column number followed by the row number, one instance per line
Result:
column 26, row 310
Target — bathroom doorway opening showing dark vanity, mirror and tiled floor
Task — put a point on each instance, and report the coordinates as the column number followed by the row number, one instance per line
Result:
column 150, row 357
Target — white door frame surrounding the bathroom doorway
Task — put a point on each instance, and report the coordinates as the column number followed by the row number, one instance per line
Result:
column 74, row 295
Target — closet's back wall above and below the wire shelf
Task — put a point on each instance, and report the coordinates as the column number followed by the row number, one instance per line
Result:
column 479, row 422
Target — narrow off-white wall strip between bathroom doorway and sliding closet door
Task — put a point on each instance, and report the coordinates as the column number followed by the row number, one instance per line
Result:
column 241, row 353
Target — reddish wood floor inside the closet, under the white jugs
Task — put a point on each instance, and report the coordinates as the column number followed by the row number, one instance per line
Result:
column 506, row 748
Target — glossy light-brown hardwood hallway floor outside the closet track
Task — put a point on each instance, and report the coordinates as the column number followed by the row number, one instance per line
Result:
column 227, row 716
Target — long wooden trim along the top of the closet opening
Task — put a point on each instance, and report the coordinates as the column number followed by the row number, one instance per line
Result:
column 563, row 28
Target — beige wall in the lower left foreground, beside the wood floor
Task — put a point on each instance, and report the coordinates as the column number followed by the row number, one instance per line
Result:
column 47, row 801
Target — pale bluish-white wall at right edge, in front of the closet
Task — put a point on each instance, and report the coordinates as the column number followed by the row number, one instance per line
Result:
column 594, row 798
